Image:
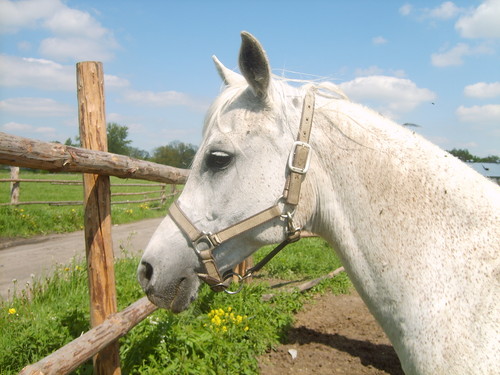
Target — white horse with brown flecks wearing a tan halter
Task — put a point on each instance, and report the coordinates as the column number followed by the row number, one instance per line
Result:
column 417, row 231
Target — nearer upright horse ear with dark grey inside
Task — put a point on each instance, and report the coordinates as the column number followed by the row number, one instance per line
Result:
column 254, row 65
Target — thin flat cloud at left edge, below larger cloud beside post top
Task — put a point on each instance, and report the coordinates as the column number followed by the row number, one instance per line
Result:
column 36, row 107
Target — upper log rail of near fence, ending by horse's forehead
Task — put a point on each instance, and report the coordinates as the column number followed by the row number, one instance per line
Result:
column 56, row 157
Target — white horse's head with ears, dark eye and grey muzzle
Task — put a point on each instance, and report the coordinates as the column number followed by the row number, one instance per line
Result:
column 239, row 171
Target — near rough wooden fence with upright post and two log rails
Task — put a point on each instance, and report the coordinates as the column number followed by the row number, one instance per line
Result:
column 97, row 165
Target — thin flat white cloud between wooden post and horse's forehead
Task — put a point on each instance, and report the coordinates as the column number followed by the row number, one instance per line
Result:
column 164, row 99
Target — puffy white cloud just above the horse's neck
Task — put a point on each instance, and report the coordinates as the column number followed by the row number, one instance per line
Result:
column 390, row 95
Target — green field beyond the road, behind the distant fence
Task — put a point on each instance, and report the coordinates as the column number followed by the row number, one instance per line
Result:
column 30, row 220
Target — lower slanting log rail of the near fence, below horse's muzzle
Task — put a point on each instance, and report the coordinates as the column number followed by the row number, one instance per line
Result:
column 72, row 355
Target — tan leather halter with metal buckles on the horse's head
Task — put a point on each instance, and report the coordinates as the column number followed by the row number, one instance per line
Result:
column 204, row 243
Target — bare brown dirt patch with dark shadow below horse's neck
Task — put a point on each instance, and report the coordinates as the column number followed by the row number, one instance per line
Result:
column 333, row 335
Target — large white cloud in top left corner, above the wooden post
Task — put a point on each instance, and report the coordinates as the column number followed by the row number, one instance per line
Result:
column 73, row 34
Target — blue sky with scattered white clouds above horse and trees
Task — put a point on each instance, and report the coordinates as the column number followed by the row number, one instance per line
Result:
column 431, row 63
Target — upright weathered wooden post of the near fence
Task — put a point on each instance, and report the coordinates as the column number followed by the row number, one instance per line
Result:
column 97, row 207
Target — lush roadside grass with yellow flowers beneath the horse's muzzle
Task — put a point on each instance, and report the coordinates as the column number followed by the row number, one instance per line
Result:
column 193, row 342
